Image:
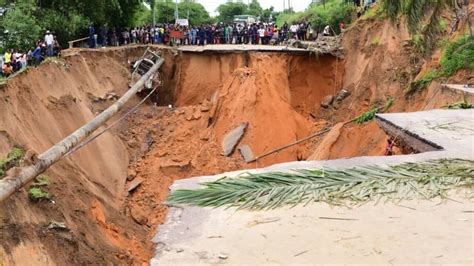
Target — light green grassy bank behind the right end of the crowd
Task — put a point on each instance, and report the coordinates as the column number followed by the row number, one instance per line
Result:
column 331, row 13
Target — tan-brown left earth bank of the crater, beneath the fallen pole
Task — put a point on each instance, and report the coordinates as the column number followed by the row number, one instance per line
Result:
column 39, row 108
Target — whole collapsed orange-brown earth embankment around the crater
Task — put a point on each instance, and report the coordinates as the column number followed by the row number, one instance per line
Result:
column 278, row 95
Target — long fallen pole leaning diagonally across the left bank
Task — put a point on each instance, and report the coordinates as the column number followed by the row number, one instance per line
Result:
column 10, row 184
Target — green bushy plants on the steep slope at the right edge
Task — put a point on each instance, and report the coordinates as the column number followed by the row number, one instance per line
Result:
column 458, row 55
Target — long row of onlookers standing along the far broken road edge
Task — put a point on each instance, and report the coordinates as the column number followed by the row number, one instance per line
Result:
column 170, row 34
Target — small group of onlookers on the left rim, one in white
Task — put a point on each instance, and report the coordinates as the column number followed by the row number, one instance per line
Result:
column 15, row 60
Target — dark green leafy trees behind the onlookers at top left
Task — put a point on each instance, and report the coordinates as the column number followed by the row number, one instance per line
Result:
column 26, row 20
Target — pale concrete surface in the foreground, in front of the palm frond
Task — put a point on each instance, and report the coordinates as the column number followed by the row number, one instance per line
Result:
column 405, row 233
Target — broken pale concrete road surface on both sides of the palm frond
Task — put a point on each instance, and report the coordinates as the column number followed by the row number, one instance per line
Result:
column 415, row 232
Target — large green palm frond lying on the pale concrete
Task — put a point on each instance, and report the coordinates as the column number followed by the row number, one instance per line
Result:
column 425, row 180
